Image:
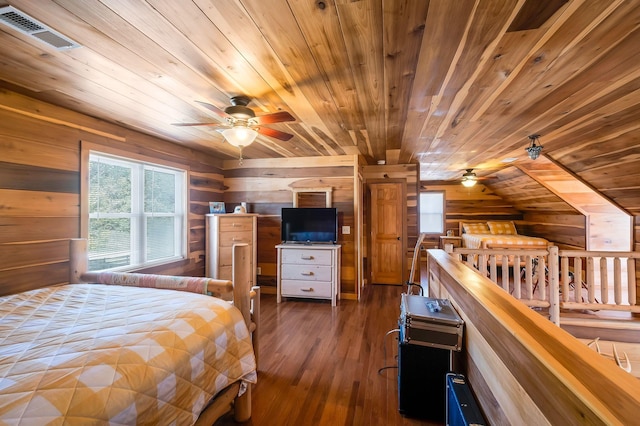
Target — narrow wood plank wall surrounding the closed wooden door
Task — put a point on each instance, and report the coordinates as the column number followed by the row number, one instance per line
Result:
column 409, row 174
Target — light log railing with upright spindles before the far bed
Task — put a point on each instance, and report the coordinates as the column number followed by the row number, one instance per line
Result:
column 554, row 279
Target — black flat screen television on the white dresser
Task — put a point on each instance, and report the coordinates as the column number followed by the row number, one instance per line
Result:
column 309, row 225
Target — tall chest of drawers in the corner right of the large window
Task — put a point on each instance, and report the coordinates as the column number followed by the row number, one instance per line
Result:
column 223, row 231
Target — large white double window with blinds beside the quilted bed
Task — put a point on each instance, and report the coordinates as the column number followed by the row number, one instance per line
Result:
column 136, row 213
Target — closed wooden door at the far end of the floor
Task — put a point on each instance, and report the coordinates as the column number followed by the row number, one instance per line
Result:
column 387, row 232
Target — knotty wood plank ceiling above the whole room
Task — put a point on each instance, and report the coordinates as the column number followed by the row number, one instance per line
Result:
column 449, row 84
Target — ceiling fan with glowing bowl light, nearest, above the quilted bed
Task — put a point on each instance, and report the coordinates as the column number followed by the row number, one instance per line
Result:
column 241, row 124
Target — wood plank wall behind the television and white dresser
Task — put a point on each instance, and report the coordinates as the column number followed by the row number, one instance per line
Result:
column 266, row 186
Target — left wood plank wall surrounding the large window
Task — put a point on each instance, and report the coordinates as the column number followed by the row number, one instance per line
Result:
column 40, row 189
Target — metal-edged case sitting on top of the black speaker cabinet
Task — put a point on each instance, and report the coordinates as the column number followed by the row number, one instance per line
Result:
column 430, row 322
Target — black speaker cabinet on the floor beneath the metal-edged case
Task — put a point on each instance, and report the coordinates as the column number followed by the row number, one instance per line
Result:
column 422, row 372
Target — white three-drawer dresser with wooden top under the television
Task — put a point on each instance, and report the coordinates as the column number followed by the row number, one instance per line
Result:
column 309, row 271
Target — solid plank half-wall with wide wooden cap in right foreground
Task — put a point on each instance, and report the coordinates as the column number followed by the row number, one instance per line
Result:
column 522, row 369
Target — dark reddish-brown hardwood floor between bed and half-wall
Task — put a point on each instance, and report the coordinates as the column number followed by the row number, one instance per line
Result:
column 320, row 365
